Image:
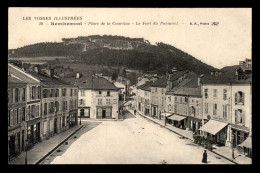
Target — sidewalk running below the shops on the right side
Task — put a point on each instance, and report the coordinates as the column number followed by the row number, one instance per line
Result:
column 225, row 152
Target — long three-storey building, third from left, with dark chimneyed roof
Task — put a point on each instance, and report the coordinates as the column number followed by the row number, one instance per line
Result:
column 58, row 104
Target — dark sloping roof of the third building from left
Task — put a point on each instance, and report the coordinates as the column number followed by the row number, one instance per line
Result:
column 48, row 80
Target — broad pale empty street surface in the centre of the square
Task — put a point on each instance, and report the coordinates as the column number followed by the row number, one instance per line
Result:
column 133, row 141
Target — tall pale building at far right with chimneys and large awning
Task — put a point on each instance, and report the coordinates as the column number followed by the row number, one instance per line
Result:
column 227, row 106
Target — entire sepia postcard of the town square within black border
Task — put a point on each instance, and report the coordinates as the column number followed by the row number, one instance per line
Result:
column 156, row 86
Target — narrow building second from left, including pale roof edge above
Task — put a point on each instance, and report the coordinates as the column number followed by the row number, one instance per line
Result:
column 33, row 104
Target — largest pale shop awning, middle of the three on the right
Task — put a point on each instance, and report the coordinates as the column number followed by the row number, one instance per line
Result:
column 213, row 127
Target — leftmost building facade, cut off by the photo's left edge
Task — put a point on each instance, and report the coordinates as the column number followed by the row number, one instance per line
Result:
column 17, row 127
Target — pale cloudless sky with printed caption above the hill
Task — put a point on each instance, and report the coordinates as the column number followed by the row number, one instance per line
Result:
column 223, row 44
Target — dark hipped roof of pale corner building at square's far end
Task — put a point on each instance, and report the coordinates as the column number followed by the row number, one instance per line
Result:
column 96, row 83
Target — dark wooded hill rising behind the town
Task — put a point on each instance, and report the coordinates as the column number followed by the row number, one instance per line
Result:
column 135, row 53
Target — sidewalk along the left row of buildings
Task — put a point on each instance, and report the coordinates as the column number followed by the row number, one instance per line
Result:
column 40, row 150
